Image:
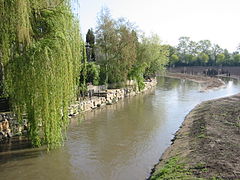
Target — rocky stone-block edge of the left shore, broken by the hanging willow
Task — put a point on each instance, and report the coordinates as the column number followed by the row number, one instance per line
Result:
column 12, row 131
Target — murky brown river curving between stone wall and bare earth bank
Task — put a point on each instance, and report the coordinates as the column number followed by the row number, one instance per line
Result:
column 117, row 142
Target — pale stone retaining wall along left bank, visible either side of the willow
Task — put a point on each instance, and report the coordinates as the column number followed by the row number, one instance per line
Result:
column 9, row 125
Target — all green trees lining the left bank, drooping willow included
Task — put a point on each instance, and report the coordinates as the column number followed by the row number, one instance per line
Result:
column 45, row 65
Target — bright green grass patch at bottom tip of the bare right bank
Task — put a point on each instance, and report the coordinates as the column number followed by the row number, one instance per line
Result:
column 174, row 169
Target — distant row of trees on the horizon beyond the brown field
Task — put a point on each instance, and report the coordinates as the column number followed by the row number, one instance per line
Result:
column 202, row 53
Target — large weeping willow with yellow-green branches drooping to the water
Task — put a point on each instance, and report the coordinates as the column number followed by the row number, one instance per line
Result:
column 41, row 52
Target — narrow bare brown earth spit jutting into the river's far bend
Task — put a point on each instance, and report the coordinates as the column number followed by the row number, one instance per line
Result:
column 207, row 83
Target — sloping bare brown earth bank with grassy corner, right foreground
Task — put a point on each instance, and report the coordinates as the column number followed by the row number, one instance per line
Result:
column 207, row 144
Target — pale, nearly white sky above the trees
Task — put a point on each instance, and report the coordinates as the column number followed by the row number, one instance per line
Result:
column 215, row 20
